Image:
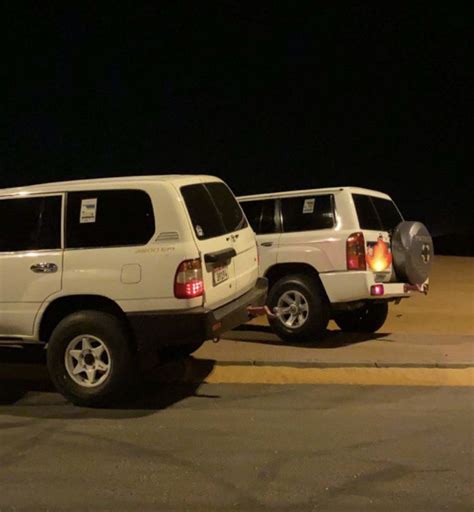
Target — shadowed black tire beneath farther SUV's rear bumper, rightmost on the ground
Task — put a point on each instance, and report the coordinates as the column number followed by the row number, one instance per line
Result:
column 369, row 318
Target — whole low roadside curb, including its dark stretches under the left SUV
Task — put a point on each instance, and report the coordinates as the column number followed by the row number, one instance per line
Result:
column 198, row 371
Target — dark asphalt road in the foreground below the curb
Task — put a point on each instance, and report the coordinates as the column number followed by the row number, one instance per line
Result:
column 240, row 447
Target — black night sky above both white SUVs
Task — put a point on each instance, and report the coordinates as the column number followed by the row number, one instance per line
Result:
column 268, row 99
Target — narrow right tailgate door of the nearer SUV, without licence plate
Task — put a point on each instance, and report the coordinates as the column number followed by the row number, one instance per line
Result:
column 241, row 236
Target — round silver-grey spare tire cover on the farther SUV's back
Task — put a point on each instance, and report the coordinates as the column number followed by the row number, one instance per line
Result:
column 412, row 252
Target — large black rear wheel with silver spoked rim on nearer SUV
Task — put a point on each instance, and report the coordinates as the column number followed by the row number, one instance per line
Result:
column 119, row 358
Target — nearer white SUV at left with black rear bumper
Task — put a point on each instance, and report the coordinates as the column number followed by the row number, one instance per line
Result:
column 104, row 271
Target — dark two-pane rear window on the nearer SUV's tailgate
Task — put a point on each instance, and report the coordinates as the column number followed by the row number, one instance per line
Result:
column 213, row 209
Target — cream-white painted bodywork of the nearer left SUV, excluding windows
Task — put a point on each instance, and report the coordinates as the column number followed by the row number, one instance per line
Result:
column 137, row 278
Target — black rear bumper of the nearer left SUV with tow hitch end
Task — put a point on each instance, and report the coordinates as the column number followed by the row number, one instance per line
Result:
column 165, row 328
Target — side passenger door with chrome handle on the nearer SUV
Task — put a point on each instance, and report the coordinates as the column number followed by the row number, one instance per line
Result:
column 31, row 259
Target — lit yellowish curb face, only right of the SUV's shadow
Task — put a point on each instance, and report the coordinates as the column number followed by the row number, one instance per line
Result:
column 356, row 376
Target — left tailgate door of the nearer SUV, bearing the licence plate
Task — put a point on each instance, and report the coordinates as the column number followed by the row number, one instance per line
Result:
column 215, row 245
